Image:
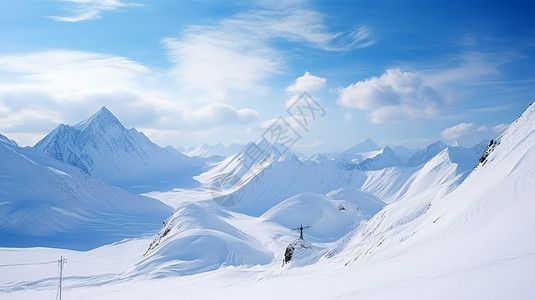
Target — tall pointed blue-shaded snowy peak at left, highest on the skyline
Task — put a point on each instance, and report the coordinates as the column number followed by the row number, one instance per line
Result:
column 102, row 147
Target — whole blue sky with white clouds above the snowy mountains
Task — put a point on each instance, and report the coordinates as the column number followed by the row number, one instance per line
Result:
column 189, row 72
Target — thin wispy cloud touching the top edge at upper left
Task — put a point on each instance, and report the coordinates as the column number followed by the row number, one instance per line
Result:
column 90, row 9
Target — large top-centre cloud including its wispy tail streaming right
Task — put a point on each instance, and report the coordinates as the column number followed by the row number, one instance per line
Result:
column 237, row 53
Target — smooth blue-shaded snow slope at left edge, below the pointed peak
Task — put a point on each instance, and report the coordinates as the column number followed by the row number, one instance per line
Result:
column 44, row 202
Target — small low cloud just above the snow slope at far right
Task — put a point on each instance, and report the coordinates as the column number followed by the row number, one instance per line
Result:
column 469, row 133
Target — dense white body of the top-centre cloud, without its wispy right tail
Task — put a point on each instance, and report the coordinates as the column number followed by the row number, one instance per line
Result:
column 211, row 62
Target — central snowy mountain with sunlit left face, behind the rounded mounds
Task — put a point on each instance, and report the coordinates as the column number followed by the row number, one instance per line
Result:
column 254, row 186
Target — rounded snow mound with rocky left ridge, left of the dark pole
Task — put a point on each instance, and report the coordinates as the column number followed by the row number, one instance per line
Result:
column 195, row 240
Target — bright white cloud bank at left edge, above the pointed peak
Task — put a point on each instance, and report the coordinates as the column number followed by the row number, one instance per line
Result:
column 70, row 75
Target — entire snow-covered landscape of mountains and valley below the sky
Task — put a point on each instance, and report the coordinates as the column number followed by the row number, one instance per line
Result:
column 434, row 223
